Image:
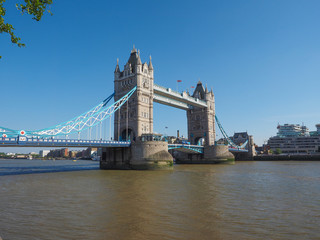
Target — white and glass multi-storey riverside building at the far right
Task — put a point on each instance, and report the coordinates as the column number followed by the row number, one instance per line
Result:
column 293, row 138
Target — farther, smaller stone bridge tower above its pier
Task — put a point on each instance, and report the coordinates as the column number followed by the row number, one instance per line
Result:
column 201, row 121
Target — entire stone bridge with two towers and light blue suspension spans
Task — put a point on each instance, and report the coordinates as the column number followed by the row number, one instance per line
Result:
column 132, row 110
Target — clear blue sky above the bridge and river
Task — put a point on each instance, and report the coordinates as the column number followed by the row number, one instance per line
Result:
column 261, row 58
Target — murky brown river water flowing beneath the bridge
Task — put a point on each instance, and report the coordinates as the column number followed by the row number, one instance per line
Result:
column 76, row 200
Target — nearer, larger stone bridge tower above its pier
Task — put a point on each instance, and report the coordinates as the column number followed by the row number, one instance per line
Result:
column 137, row 114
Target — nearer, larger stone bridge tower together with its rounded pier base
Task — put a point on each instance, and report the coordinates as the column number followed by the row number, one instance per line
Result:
column 133, row 119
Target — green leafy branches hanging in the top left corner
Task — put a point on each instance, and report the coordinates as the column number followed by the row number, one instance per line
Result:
column 36, row 8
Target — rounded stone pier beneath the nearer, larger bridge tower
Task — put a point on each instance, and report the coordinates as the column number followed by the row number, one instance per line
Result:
column 149, row 155
